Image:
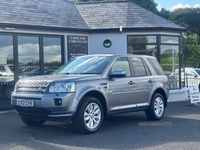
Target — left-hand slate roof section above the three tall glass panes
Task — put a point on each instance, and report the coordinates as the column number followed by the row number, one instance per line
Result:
column 49, row 13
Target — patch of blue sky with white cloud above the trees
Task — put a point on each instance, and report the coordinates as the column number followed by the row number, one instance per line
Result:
column 174, row 4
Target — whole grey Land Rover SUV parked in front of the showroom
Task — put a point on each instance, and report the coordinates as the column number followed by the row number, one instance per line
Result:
column 89, row 88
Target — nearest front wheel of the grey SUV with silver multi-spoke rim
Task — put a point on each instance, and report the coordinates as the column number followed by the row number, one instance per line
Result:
column 89, row 116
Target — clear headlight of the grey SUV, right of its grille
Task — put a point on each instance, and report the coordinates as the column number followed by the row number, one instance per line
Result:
column 62, row 87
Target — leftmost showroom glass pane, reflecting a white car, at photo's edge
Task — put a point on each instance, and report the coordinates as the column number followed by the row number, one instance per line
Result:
column 6, row 68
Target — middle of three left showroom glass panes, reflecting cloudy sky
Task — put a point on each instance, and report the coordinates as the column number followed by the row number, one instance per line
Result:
column 28, row 54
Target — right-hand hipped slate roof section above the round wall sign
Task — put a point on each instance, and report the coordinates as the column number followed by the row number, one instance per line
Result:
column 112, row 14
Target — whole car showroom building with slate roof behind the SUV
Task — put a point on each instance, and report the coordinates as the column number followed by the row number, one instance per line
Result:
column 38, row 36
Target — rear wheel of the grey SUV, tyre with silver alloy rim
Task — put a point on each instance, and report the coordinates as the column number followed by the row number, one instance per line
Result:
column 156, row 109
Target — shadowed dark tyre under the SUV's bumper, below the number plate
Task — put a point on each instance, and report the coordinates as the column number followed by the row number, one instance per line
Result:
column 32, row 122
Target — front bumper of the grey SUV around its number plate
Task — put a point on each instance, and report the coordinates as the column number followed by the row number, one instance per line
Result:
column 45, row 107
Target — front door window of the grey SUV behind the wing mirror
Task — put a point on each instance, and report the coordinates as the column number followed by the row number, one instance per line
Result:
column 122, row 63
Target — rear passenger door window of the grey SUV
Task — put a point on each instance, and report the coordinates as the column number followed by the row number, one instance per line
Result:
column 138, row 67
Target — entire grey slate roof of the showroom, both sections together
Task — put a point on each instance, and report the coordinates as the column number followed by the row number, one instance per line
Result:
column 90, row 15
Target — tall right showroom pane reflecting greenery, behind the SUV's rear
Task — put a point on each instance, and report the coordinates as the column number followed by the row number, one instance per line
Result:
column 169, row 54
